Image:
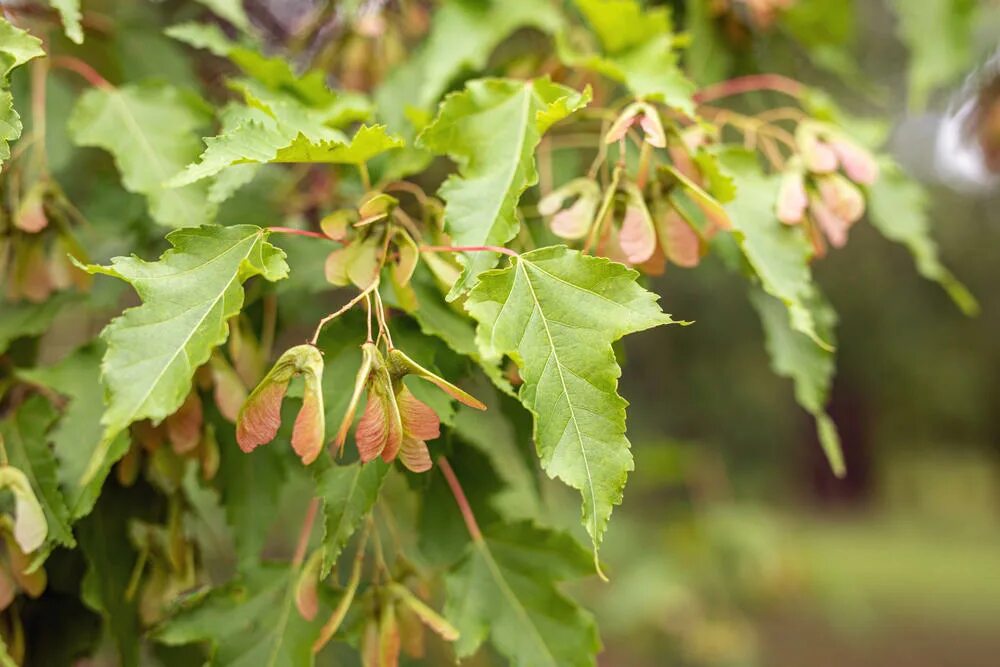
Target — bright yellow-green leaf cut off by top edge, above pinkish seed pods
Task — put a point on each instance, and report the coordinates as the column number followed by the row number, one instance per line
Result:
column 639, row 49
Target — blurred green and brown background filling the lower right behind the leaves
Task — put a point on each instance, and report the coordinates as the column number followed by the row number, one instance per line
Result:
column 735, row 546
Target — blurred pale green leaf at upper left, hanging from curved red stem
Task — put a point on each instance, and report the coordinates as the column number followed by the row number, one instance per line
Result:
column 149, row 129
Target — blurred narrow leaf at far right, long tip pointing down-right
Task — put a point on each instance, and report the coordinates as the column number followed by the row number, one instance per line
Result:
column 898, row 209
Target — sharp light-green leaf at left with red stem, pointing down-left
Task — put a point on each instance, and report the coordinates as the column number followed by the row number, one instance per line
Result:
column 188, row 296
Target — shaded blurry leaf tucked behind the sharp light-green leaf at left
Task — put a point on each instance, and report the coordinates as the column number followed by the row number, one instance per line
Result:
column 78, row 433
